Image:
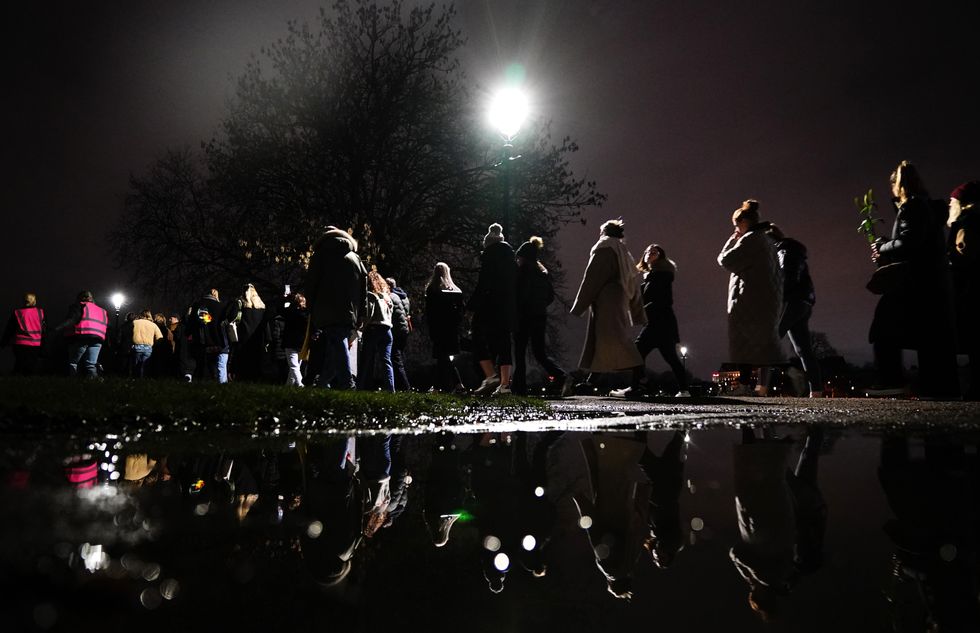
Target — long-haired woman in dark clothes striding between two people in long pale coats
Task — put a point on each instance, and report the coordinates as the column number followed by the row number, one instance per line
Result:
column 660, row 332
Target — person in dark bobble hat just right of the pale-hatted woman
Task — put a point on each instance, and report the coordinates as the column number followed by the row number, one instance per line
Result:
column 534, row 294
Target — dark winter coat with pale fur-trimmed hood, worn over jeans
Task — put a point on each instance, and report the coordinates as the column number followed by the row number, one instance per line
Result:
column 336, row 282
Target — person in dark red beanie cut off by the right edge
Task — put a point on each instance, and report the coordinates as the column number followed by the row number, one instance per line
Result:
column 963, row 249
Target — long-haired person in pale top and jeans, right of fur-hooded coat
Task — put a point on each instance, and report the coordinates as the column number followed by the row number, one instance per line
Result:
column 375, row 346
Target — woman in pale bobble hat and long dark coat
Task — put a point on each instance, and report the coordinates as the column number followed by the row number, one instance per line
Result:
column 493, row 305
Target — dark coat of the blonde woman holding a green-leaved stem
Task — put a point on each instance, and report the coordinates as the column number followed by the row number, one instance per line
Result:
column 919, row 312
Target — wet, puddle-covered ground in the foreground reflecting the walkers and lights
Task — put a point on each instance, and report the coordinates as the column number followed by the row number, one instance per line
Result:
column 696, row 515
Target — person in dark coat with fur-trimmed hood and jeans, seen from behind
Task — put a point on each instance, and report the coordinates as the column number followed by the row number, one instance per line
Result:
column 336, row 293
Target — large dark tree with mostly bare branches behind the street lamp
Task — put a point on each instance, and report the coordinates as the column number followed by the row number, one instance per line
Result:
column 364, row 121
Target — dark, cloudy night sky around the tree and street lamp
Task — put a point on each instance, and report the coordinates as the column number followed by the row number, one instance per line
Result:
column 681, row 109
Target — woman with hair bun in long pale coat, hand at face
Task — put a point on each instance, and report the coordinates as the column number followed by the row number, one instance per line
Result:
column 755, row 298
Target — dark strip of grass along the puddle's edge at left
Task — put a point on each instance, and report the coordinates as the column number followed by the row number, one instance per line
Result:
column 50, row 402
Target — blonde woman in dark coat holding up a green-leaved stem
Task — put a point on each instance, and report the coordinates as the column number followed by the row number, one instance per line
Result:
column 917, row 314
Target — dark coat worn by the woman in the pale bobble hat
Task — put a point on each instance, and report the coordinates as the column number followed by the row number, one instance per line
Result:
column 494, row 300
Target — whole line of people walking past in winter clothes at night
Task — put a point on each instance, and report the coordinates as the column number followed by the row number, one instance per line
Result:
column 927, row 281
